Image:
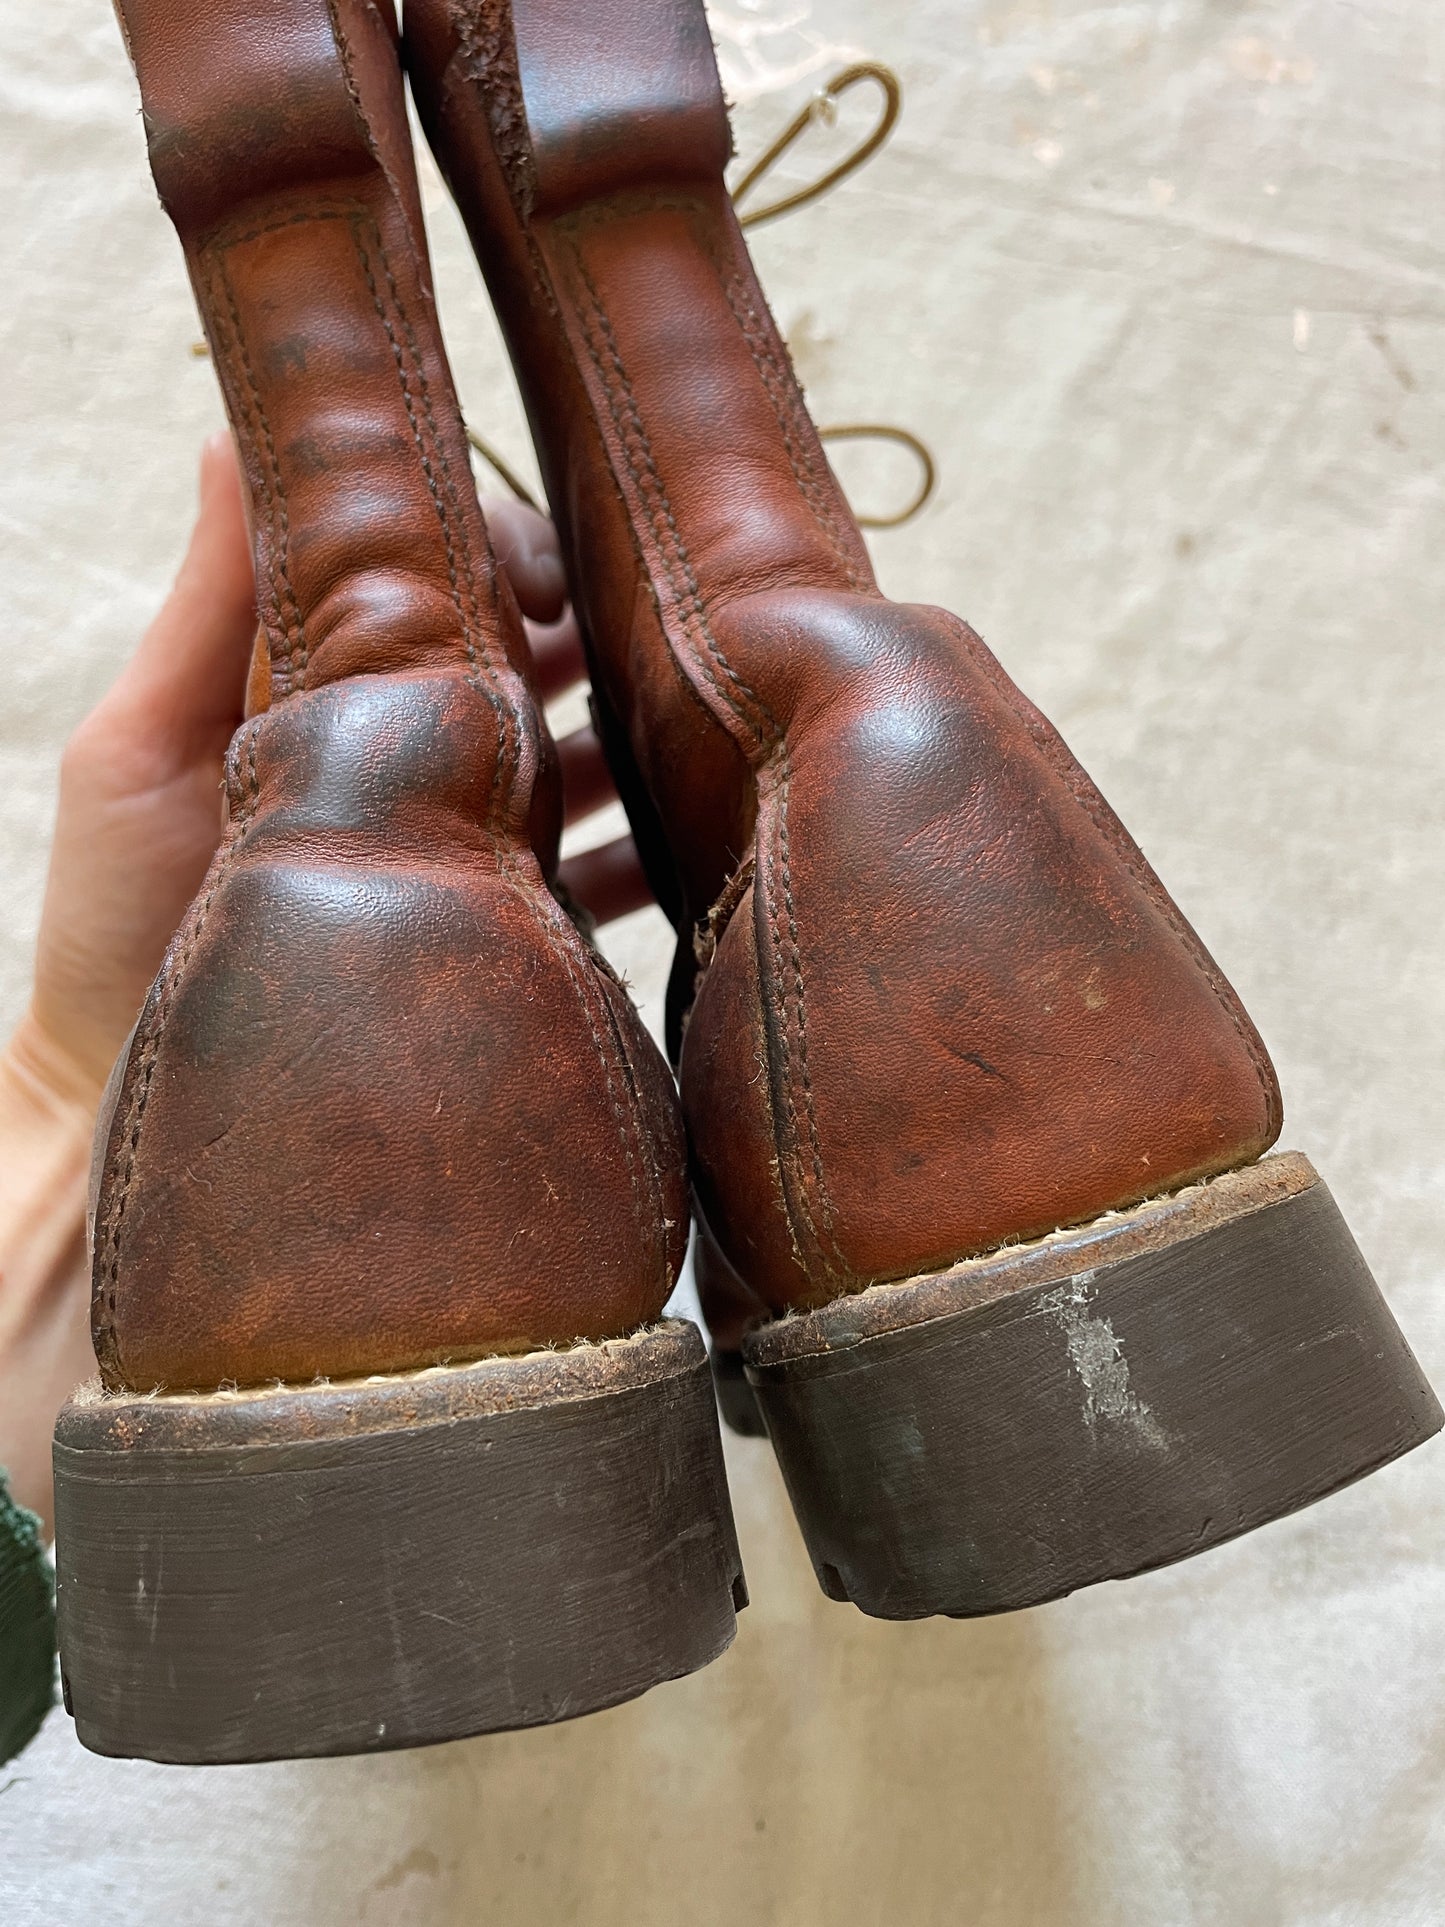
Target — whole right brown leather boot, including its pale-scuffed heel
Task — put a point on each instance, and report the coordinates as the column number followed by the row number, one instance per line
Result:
column 976, row 1121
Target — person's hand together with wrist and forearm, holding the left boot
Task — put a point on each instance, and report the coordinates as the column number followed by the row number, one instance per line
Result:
column 138, row 826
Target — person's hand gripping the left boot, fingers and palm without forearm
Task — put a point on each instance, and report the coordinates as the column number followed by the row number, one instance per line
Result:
column 140, row 781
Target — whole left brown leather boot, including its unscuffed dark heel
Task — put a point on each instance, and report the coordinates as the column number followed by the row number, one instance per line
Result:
column 384, row 1113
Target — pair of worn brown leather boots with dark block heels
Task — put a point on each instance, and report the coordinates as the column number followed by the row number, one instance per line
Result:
column 390, row 1444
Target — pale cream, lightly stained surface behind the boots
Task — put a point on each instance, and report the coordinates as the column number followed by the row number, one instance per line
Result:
column 1165, row 288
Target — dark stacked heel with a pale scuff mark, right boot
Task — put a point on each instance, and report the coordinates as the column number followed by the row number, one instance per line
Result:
column 1091, row 1406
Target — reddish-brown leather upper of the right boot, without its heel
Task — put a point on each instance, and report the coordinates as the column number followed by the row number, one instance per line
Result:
column 945, row 1001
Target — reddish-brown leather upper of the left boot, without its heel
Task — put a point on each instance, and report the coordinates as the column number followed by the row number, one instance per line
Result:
column 384, row 1105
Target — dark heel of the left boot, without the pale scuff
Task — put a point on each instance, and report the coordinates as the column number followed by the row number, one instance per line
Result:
column 390, row 1562
